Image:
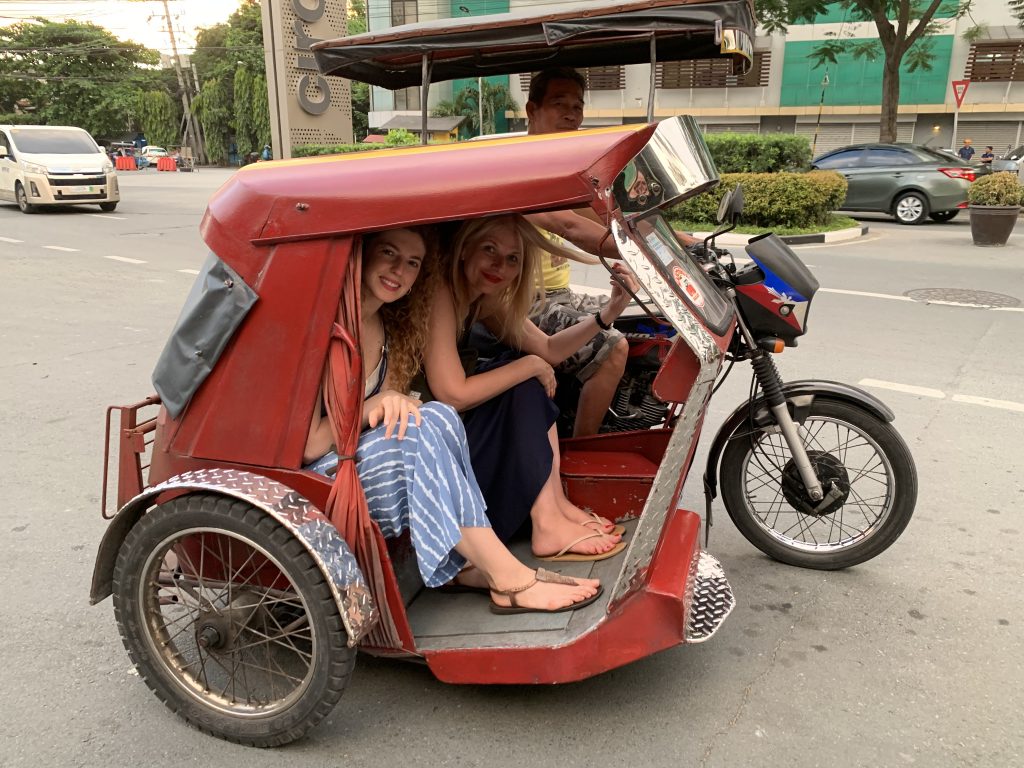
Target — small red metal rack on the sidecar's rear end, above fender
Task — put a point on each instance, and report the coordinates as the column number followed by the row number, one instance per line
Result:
column 135, row 451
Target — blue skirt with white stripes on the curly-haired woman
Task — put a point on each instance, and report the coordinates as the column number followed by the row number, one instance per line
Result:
column 423, row 483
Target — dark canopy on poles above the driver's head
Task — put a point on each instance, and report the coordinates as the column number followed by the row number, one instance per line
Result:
column 603, row 32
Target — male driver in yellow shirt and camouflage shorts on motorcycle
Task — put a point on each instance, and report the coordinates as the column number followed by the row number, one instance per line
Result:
column 556, row 105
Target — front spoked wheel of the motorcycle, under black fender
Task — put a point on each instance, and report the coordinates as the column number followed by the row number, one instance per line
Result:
column 863, row 456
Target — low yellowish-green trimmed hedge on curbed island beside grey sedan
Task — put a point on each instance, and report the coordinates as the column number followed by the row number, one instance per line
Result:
column 793, row 200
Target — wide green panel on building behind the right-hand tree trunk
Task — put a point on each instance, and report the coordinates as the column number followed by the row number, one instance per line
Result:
column 856, row 82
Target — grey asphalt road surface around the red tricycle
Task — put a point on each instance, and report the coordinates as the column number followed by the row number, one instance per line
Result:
column 913, row 659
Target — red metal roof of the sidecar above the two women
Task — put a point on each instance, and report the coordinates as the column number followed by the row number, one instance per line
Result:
column 277, row 202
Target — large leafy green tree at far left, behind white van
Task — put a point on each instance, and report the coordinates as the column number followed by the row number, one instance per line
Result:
column 76, row 74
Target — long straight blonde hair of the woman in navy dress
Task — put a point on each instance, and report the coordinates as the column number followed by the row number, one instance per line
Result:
column 511, row 307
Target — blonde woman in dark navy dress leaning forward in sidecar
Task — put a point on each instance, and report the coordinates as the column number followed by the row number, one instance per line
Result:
column 506, row 406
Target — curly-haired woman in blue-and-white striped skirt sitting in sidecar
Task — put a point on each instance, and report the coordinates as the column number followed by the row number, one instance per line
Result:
column 413, row 460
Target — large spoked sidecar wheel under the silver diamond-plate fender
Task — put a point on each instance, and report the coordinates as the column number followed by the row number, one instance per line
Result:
column 230, row 621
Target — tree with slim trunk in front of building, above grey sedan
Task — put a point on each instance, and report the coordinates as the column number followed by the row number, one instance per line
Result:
column 904, row 28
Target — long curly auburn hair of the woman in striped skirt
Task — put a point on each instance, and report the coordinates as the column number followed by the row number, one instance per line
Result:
column 407, row 320
